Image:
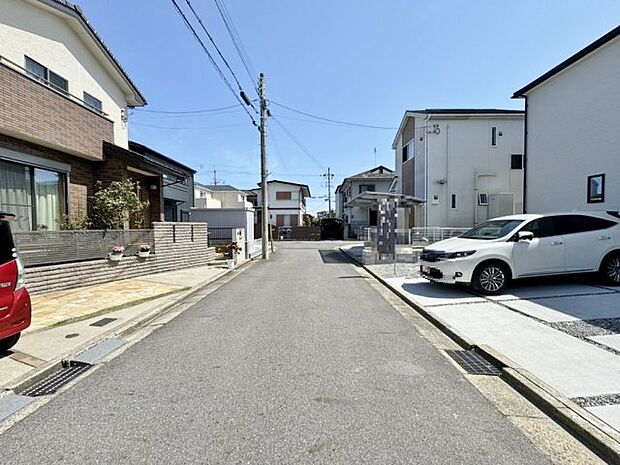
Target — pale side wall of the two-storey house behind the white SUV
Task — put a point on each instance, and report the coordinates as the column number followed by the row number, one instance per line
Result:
column 462, row 161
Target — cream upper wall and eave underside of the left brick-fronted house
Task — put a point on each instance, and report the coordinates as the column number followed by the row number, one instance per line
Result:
column 48, row 38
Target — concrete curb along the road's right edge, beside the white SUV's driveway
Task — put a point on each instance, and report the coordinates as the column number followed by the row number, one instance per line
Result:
column 591, row 431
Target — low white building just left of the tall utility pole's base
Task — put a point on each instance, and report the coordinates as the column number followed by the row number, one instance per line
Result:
column 223, row 206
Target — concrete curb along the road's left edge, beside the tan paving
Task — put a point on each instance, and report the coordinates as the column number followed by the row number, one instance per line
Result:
column 131, row 326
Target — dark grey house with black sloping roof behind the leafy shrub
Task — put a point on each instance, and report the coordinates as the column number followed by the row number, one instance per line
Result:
column 178, row 182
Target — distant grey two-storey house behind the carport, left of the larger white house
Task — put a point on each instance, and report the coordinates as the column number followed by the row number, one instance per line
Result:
column 378, row 179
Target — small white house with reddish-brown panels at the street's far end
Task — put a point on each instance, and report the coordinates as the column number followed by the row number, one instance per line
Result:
column 287, row 203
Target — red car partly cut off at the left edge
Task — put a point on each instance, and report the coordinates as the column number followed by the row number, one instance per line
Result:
column 15, row 309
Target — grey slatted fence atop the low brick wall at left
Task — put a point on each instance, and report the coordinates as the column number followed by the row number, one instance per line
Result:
column 51, row 247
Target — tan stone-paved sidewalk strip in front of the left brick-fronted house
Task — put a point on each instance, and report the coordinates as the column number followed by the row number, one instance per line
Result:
column 65, row 320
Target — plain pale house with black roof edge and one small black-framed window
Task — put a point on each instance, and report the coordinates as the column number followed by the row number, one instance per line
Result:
column 572, row 137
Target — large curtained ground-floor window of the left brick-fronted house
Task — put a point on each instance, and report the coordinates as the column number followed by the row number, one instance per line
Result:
column 36, row 196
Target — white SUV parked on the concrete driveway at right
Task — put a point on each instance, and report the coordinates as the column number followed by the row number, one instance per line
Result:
column 493, row 253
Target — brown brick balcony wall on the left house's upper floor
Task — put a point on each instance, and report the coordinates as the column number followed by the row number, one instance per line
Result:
column 31, row 110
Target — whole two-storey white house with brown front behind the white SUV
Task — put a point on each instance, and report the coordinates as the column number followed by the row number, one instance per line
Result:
column 465, row 165
